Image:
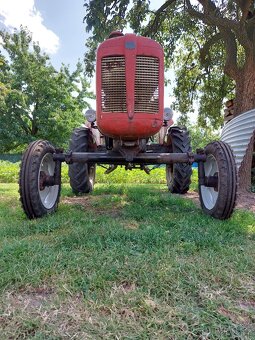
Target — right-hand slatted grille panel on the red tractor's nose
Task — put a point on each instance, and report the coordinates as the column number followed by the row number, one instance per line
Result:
column 147, row 84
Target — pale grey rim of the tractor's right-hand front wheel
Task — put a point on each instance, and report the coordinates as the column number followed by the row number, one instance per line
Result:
column 209, row 194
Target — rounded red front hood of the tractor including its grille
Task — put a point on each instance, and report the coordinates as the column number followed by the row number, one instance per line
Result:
column 130, row 86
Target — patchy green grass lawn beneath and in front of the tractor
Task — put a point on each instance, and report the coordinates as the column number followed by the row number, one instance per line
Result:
column 126, row 262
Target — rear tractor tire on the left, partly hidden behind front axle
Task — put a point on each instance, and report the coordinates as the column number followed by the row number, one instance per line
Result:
column 82, row 175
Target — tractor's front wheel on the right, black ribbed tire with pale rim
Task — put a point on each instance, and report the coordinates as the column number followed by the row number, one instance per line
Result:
column 219, row 200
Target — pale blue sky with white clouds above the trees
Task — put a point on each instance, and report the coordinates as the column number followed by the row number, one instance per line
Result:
column 57, row 25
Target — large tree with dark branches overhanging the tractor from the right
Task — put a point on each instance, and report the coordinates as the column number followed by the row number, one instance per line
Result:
column 209, row 43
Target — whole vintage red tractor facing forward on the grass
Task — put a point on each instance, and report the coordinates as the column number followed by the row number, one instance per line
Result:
column 129, row 114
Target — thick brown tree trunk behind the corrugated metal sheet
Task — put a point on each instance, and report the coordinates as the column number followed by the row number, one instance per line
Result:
column 245, row 101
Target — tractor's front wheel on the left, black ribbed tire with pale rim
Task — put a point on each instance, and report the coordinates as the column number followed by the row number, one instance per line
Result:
column 37, row 163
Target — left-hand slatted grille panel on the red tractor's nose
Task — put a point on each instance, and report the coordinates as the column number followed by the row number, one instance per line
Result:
column 113, row 90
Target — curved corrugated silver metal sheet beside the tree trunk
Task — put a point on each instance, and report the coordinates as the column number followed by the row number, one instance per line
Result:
column 238, row 133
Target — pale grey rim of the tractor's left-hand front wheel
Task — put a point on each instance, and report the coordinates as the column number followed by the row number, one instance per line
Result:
column 48, row 195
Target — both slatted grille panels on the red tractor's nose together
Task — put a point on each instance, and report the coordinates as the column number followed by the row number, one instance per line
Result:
column 114, row 93
